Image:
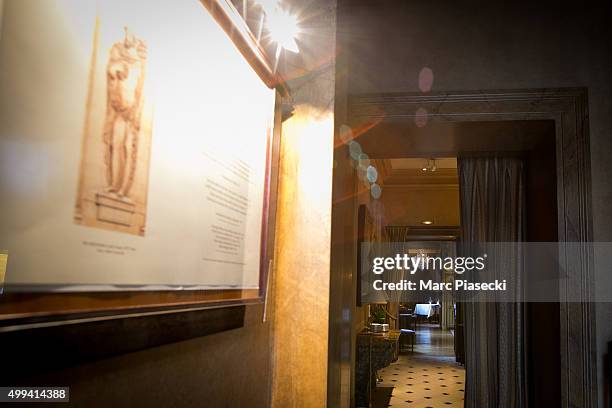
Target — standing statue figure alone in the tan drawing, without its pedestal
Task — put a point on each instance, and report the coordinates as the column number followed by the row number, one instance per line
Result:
column 125, row 73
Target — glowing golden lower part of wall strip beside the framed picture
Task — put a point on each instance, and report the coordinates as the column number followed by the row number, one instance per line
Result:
column 302, row 255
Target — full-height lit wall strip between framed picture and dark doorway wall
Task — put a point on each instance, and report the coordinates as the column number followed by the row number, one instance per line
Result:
column 302, row 269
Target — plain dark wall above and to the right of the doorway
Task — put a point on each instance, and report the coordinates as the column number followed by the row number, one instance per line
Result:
column 481, row 45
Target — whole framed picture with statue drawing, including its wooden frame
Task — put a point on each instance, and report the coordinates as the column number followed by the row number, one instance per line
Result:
column 127, row 180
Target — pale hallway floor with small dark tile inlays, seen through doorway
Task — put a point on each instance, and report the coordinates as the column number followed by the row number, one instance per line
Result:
column 428, row 377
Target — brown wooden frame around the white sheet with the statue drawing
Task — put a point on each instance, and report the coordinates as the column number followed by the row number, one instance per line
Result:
column 30, row 310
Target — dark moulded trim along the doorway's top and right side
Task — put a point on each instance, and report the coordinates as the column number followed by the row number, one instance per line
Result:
column 568, row 108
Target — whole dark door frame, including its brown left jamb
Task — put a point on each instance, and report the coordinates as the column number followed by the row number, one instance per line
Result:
column 568, row 108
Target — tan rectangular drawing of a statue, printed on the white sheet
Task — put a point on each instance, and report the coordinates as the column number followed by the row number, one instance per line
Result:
column 113, row 179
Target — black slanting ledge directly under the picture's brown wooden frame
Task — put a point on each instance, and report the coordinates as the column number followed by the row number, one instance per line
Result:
column 36, row 350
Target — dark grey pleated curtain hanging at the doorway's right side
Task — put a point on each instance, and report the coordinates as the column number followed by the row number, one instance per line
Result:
column 492, row 199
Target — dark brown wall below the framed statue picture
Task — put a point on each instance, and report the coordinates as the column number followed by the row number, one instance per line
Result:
column 229, row 369
